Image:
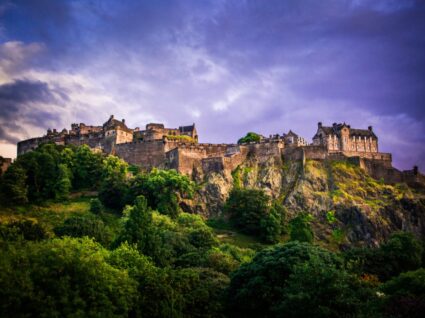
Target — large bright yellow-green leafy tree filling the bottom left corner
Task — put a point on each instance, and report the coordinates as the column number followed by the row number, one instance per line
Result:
column 62, row 278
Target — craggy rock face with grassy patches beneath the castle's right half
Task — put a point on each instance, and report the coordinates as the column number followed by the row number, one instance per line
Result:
column 348, row 206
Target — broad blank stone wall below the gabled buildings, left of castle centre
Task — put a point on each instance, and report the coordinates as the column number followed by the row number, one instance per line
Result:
column 146, row 154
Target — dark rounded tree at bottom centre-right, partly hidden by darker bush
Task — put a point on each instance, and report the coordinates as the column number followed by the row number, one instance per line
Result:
column 257, row 287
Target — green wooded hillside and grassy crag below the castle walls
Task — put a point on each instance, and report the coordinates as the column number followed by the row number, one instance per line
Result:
column 85, row 235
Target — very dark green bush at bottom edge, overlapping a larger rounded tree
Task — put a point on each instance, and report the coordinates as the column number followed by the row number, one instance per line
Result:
column 318, row 289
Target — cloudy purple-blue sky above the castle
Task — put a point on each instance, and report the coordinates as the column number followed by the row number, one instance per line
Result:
column 228, row 66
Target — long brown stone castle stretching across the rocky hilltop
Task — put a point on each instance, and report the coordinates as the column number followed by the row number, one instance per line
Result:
column 178, row 148
